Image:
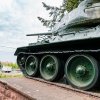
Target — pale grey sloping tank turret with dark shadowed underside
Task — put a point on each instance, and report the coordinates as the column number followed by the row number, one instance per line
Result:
column 87, row 14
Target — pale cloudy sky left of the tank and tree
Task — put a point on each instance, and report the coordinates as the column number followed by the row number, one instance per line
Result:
column 18, row 18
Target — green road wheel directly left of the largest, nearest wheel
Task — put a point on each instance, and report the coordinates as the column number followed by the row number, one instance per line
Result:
column 51, row 68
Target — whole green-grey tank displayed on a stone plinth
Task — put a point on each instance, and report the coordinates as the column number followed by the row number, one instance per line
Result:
column 71, row 49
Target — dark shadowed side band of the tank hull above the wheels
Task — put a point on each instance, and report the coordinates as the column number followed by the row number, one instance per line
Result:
column 82, row 44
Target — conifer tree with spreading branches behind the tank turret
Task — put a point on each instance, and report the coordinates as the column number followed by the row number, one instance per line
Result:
column 56, row 13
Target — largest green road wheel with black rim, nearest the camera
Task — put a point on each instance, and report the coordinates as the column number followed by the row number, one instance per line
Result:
column 82, row 71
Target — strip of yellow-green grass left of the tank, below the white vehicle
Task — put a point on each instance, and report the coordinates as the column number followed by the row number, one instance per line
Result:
column 9, row 75
